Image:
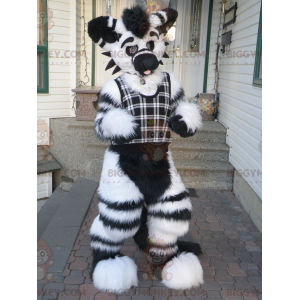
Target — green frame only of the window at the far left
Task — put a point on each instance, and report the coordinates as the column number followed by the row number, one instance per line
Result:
column 44, row 50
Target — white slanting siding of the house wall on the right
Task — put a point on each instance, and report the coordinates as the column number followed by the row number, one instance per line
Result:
column 240, row 101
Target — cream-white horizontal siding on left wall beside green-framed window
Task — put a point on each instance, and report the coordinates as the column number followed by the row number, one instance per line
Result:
column 64, row 71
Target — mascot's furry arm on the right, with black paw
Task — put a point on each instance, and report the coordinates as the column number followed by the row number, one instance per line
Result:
column 185, row 118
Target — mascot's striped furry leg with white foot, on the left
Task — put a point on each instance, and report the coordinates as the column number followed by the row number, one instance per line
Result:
column 120, row 207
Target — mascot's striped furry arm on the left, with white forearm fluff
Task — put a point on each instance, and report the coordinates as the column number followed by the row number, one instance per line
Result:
column 114, row 122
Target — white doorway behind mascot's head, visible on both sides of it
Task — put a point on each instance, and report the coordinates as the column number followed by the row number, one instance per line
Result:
column 187, row 41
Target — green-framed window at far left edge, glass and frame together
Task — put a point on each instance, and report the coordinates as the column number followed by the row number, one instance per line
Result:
column 42, row 47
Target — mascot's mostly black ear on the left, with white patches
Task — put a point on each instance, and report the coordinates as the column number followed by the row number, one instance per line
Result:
column 105, row 31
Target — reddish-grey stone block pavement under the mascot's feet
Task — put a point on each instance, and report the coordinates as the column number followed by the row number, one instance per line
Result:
column 231, row 260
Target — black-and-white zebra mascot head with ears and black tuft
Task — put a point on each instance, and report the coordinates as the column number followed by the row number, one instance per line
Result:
column 135, row 44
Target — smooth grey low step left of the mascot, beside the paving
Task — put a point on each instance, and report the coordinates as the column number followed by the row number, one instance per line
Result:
column 60, row 219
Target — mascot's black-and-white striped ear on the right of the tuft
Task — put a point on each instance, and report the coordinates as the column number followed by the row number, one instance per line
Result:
column 163, row 20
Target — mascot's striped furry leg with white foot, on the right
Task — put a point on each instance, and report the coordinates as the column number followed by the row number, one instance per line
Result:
column 168, row 219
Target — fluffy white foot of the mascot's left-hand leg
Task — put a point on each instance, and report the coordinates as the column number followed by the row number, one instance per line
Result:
column 115, row 275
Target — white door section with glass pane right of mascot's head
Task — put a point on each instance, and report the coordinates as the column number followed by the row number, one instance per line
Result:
column 187, row 51
